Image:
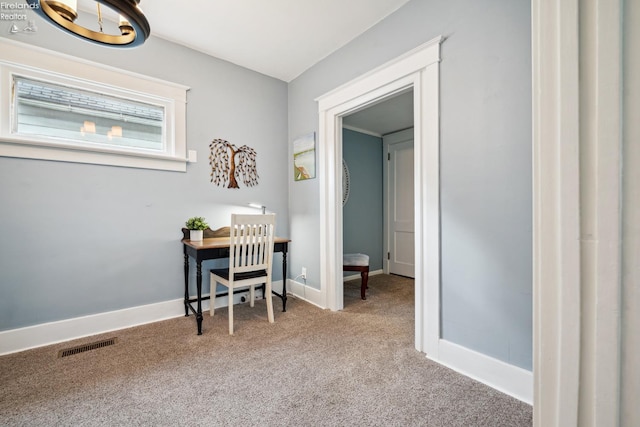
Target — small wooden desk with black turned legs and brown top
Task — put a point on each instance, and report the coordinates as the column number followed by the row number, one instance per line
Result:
column 215, row 248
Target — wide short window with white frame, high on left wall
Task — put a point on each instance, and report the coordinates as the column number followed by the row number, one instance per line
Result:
column 57, row 107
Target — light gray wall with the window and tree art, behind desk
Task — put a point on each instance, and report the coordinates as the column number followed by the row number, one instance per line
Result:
column 80, row 239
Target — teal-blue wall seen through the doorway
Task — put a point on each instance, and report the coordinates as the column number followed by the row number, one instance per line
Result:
column 362, row 215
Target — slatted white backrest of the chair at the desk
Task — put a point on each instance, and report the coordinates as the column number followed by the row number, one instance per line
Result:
column 251, row 242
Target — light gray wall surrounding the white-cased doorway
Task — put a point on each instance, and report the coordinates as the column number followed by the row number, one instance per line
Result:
column 485, row 161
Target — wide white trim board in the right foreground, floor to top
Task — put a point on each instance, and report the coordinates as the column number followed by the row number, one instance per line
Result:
column 578, row 113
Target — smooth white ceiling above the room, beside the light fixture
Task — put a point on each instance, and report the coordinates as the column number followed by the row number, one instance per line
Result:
column 279, row 38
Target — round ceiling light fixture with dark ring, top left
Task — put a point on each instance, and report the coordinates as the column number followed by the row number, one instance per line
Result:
column 133, row 25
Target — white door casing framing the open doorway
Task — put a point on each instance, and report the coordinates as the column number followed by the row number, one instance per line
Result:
column 417, row 69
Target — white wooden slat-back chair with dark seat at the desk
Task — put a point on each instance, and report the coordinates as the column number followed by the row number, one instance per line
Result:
column 250, row 260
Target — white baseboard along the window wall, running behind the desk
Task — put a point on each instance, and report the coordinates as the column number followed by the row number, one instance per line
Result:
column 15, row 340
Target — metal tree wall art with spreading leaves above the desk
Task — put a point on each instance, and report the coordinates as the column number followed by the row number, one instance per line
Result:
column 230, row 164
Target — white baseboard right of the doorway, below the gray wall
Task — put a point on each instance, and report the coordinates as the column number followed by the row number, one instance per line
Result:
column 509, row 379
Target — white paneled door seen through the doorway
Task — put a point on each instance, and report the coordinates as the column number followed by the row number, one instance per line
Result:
column 400, row 235
